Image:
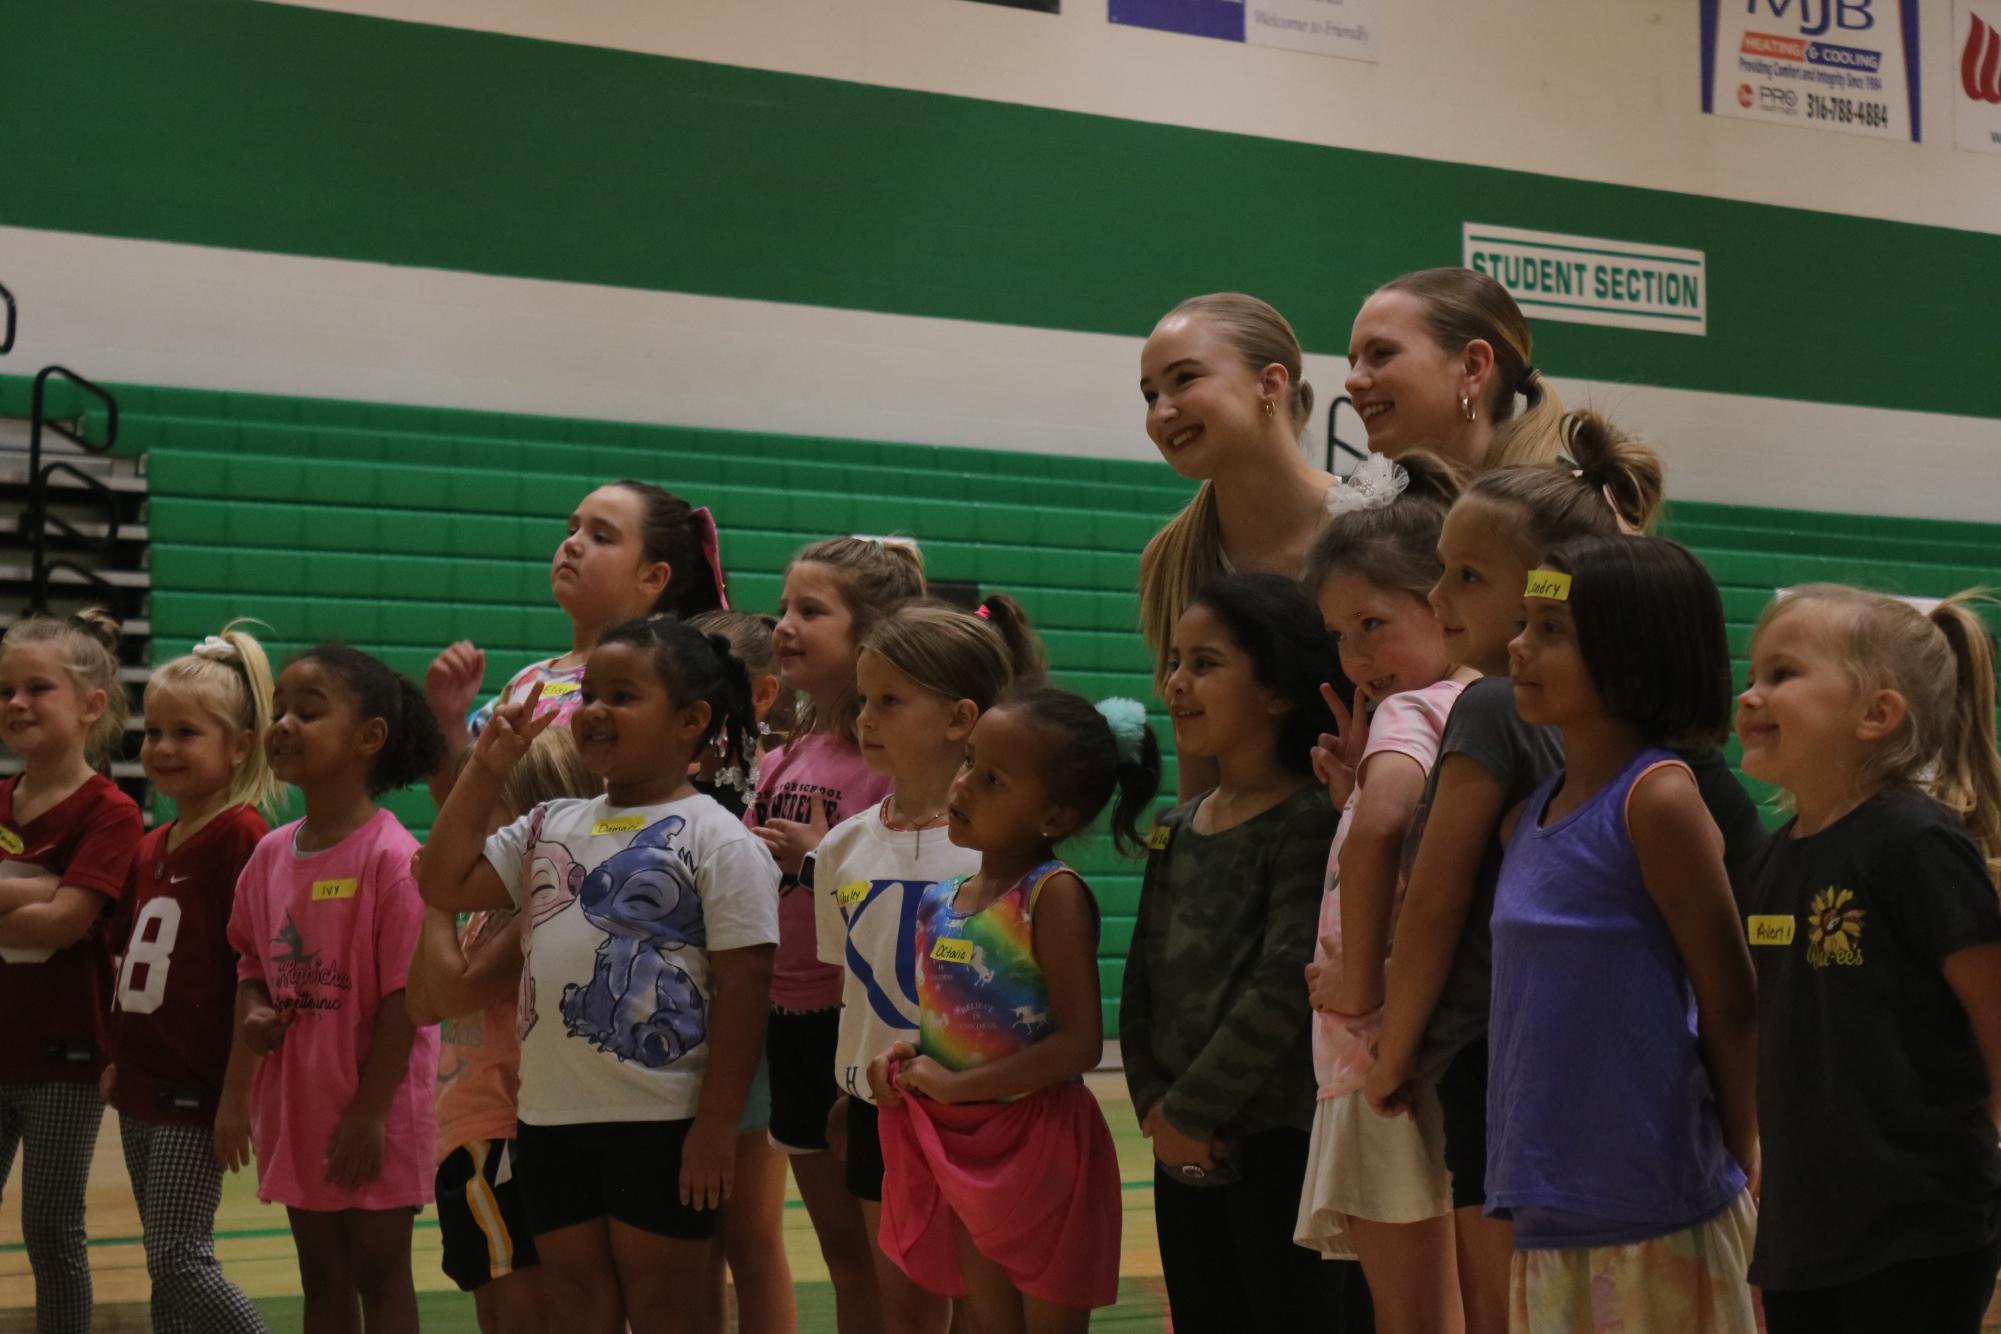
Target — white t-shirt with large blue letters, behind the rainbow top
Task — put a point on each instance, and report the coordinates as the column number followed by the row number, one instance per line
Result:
column 867, row 881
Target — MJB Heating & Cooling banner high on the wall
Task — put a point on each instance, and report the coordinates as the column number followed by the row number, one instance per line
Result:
column 1820, row 65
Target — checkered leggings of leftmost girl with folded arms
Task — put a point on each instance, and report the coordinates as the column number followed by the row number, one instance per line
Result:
column 59, row 1127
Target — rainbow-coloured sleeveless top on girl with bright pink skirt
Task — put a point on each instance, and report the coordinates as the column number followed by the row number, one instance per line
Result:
column 977, row 979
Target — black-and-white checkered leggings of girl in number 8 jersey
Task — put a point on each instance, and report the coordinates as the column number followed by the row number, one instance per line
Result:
column 179, row 1187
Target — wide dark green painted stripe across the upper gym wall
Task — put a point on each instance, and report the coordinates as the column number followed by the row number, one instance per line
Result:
column 297, row 131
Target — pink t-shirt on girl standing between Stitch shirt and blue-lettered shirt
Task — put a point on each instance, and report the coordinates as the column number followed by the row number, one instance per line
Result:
column 809, row 771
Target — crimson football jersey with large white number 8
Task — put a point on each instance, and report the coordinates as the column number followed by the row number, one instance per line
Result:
column 177, row 985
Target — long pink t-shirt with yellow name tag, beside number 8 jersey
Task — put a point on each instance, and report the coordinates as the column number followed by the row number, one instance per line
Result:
column 331, row 935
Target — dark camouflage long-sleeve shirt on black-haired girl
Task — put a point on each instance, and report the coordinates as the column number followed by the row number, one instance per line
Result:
column 1214, row 1015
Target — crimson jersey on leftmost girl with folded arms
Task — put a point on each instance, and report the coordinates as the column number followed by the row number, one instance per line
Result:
column 55, row 1001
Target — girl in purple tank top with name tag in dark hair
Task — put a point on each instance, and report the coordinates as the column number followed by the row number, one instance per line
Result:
column 1622, row 1137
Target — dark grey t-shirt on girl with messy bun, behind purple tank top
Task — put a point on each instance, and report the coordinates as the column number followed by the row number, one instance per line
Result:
column 1522, row 757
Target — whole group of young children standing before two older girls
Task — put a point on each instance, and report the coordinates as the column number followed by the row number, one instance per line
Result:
column 1476, row 963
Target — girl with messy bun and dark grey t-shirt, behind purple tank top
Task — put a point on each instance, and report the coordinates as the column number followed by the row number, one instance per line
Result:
column 1490, row 761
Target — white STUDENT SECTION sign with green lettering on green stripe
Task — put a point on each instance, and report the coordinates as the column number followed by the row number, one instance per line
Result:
column 1590, row 281
